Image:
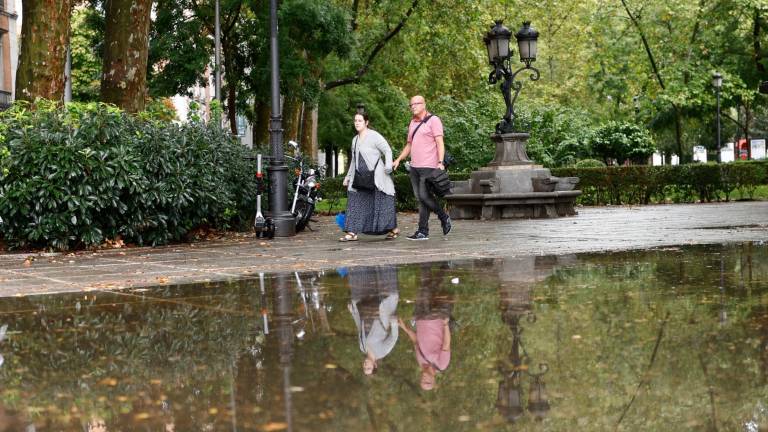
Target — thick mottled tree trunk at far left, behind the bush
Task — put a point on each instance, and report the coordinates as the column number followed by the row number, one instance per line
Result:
column 44, row 40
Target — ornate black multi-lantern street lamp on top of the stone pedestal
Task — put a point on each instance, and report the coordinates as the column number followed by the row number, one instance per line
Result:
column 499, row 56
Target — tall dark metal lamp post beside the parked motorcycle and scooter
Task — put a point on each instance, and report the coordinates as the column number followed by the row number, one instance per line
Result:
column 285, row 223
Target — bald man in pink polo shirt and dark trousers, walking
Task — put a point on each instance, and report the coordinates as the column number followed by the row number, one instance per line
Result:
column 427, row 149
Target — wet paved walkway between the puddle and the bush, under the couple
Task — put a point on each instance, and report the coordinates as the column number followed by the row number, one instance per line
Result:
column 594, row 229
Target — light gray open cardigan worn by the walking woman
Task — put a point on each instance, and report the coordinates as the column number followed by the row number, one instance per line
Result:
column 371, row 148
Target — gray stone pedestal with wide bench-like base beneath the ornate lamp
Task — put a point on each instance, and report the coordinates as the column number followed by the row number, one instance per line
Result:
column 512, row 186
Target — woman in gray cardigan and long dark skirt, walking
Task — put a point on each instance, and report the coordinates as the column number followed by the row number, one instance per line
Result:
column 370, row 212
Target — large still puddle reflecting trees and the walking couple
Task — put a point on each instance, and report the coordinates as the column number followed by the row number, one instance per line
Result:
column 669, row 339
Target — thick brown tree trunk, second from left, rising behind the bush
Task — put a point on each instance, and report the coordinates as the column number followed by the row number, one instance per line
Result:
column 126, row 47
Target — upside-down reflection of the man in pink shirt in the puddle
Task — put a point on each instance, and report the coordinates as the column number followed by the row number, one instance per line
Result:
column 432, row 336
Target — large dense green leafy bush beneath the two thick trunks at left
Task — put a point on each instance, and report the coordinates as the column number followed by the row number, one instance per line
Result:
column 83, row 173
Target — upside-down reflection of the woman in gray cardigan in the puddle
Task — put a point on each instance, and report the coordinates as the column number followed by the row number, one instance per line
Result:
column 374, row 308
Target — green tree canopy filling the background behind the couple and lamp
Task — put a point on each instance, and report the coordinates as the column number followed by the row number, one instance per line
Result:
column 649, row 63
